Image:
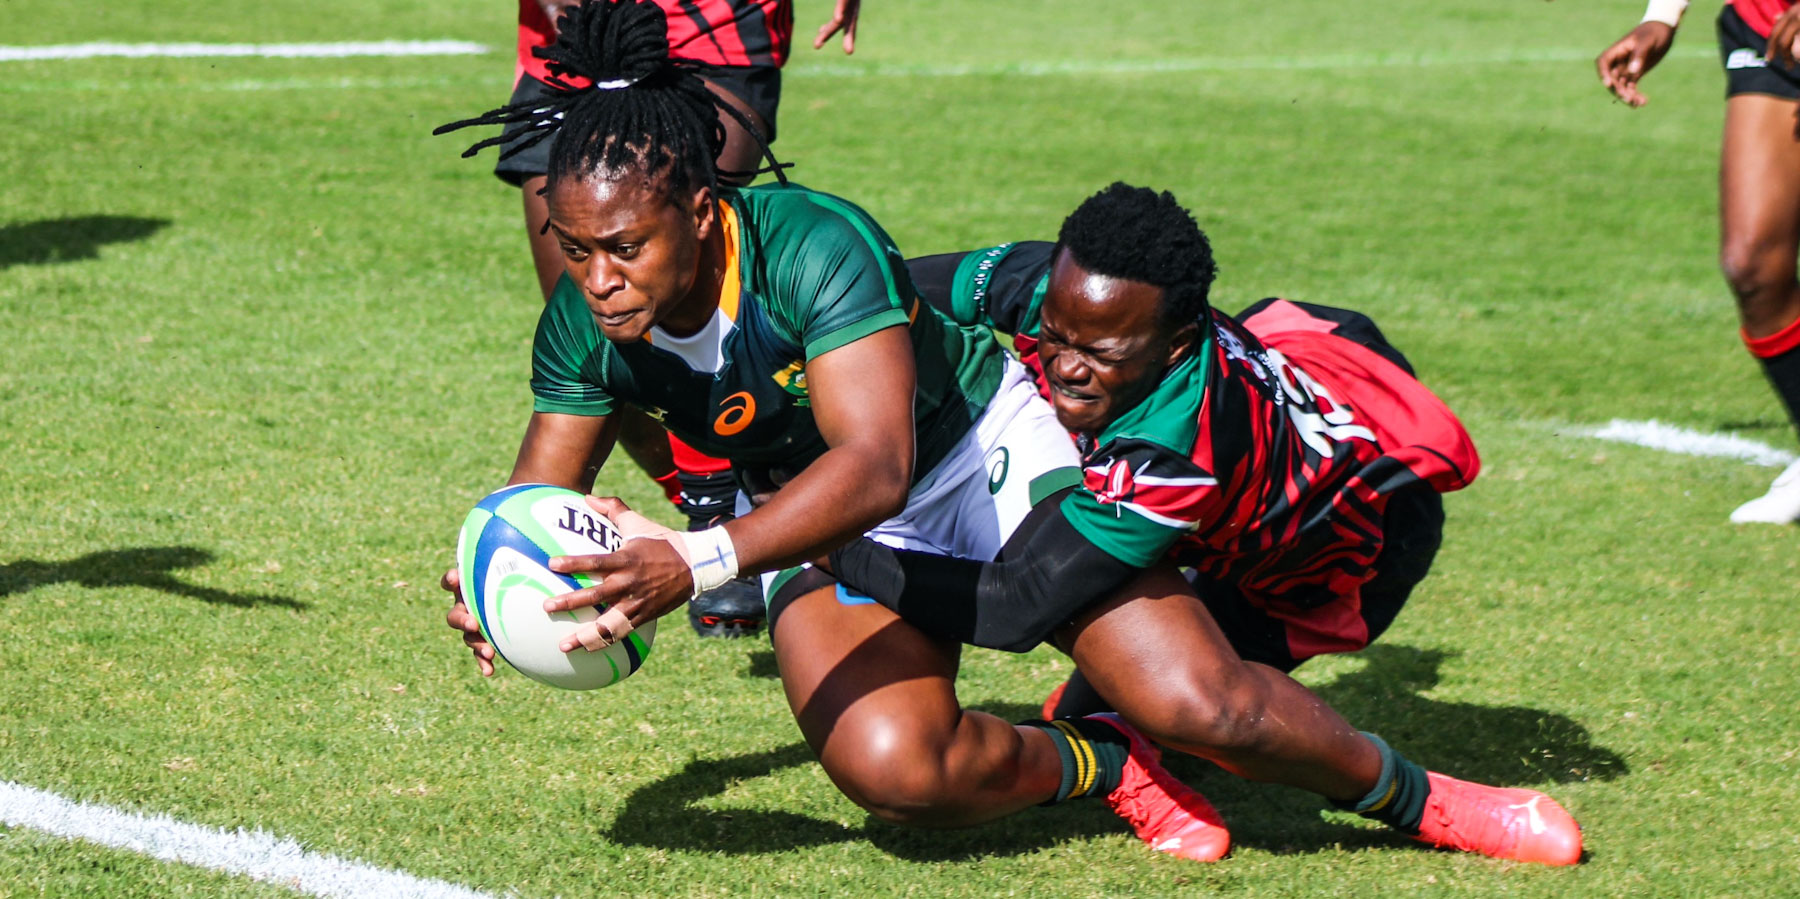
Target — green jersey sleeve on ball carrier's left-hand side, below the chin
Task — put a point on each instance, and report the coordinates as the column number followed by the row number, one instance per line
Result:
column 568, row 358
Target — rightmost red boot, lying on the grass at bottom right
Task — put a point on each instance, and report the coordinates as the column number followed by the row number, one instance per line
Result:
column 1515, row 824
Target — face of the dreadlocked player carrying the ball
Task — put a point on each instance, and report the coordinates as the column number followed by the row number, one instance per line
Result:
column 633, row 250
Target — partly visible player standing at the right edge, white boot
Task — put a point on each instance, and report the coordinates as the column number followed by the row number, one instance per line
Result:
column 1759, row 188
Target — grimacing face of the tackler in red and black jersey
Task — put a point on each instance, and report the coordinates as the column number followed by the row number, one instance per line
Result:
column 1102, row 345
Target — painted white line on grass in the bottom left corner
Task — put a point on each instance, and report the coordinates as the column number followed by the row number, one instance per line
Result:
column 247, row 853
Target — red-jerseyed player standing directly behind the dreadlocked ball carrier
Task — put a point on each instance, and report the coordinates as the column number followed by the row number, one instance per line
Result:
column 741, row 46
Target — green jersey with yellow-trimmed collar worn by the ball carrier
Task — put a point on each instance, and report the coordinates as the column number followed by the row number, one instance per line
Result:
column 807, row 273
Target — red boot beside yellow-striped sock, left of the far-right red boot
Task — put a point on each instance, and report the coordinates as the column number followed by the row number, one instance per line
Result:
column 1164, row 812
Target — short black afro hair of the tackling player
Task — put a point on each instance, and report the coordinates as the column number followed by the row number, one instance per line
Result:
column 1147, row 237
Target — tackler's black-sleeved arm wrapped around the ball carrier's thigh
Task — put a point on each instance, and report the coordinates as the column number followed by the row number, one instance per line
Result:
column 1047, row 576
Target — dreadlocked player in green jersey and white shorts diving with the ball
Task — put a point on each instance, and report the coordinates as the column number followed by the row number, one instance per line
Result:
column 778, row 329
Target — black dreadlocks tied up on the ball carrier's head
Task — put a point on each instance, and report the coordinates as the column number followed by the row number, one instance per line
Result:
column 642, row 109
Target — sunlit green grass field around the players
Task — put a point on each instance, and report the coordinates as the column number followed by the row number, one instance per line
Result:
column 265, row 341
